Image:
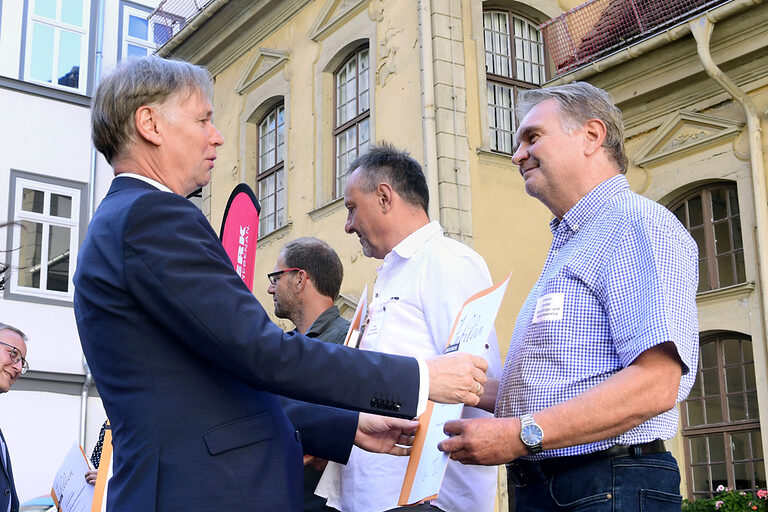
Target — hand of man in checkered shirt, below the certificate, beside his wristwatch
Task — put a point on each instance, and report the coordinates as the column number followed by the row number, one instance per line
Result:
column 486, row 441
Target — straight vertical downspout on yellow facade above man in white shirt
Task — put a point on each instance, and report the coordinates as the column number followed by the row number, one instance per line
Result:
column 428, row 122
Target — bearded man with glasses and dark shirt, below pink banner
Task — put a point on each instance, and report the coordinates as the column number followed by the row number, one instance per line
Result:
column 304, row 286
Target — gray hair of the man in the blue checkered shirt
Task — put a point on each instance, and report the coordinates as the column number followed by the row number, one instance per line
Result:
column 580, row 102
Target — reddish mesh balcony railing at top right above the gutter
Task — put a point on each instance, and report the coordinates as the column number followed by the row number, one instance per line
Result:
column 600, row 27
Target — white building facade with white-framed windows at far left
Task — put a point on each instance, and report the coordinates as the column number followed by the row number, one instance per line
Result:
column 51, row 54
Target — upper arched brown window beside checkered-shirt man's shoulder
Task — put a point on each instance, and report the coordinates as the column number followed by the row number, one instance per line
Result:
column 711, row 215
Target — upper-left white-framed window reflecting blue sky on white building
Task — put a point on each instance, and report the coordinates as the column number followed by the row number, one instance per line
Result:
column 57, row 43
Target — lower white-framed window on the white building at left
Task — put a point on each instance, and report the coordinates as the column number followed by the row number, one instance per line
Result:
column 45, row 239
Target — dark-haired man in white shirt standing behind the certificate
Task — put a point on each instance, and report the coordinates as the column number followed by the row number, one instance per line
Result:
column 425, row 279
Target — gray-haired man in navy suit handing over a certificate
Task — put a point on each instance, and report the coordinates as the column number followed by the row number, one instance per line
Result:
column 185, row 358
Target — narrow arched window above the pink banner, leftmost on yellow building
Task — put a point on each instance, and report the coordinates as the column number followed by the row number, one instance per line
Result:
column 270, row 177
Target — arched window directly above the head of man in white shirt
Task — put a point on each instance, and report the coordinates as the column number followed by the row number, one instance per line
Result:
column 353, row 112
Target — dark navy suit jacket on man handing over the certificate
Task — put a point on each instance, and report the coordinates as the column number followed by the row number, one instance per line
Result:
column 188, row 364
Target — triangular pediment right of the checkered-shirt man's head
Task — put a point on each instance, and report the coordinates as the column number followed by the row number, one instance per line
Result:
column 685, row 132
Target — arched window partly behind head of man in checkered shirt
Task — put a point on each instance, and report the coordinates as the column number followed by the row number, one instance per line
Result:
column 514, row 59
